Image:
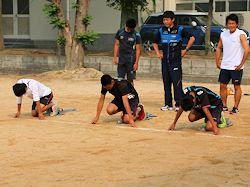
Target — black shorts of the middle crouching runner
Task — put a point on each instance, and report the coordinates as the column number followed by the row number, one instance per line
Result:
column 133, row 103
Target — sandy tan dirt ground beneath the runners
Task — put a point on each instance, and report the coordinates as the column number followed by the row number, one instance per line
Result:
column 68, row 151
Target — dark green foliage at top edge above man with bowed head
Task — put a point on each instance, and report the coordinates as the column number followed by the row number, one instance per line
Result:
column 131, row 5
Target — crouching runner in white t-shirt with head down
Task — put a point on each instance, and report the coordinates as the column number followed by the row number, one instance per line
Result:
column 40, row 94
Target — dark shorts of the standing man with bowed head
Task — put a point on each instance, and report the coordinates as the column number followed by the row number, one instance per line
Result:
column 126, row 69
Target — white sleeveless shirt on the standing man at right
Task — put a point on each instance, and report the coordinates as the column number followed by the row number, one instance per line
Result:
column 233, row 51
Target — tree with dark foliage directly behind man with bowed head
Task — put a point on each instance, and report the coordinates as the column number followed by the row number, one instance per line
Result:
column 129, row 8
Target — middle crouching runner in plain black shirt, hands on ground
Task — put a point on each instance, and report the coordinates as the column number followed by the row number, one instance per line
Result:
column 126, row 100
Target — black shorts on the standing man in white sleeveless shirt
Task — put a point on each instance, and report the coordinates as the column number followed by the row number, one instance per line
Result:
column 226, row 75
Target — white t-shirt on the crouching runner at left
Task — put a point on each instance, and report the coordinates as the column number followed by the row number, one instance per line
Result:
column 35, row 90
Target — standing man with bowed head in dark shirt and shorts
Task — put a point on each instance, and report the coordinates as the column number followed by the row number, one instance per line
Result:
column 128, row 47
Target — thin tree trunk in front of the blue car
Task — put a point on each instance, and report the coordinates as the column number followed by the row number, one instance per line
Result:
column 208, row 28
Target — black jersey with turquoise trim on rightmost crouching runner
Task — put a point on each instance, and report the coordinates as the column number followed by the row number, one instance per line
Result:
column 204, row 97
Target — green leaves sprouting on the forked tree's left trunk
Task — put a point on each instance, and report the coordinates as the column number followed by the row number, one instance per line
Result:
column 51, row 11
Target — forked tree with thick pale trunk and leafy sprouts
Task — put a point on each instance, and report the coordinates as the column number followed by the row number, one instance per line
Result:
column 74, row 41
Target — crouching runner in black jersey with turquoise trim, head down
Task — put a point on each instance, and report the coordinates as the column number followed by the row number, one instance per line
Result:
column 202, row 103
